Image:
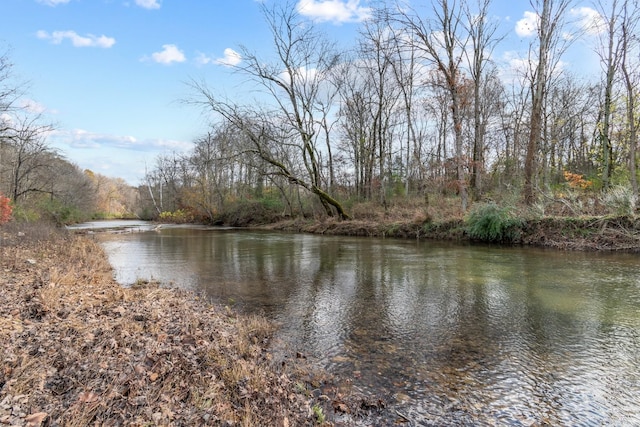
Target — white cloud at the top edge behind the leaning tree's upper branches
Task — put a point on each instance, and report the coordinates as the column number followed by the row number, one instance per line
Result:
column 337, row 11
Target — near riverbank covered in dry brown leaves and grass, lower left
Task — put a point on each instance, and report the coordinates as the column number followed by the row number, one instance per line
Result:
column 78, row 349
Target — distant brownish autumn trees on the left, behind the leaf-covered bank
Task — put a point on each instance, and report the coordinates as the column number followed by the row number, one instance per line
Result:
column 37, row 179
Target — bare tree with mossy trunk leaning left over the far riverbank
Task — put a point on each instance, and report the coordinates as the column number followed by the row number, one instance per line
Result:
column 295, row 82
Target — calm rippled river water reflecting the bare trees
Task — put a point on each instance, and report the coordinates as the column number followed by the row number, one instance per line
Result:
column 447, row 334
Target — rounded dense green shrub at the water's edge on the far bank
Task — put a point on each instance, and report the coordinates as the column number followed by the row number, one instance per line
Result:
column 489, row 222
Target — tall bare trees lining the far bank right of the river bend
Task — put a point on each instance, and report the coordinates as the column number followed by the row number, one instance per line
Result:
column 417, row 106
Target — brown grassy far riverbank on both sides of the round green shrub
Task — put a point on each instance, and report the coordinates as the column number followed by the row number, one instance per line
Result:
column 620, row 233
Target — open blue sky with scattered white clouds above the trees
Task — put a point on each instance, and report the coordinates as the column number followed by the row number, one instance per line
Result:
column 110, row 74
